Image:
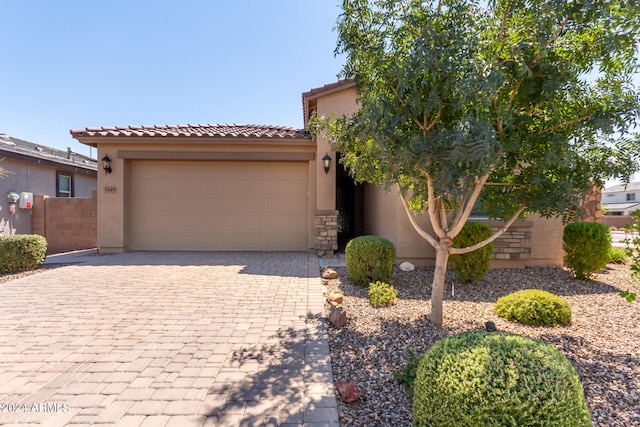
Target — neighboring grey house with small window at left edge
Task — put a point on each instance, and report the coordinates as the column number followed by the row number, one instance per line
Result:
column 42, row 171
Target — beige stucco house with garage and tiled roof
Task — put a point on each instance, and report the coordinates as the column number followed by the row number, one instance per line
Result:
column 249, row 187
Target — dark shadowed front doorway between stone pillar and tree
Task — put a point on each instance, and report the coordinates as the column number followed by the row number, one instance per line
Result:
column 350, row 206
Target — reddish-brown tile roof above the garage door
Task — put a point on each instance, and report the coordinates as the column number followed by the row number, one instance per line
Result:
column 195, row 131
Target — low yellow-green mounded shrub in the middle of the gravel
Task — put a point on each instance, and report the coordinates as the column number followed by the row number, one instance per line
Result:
column 534, row 307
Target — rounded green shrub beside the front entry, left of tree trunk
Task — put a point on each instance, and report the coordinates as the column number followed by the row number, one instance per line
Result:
column 369, row 259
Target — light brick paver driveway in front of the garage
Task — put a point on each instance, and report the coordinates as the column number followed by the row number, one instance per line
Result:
column 164, row 339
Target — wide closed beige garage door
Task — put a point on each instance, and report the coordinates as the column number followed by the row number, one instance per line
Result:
column 216, row 205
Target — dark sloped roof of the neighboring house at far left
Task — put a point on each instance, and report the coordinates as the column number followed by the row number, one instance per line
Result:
column 20, row 149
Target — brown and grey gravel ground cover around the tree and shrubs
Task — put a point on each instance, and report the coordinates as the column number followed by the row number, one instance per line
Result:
column 602, row 342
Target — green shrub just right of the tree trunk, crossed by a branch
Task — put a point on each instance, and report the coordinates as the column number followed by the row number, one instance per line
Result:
column 474, row 265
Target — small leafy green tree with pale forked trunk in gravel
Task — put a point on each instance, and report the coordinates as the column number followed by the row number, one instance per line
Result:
column 465, row 102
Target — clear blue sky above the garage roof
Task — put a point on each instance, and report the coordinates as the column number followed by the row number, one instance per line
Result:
column 73, row 64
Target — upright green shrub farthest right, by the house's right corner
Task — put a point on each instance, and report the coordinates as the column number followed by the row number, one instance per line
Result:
column 586, row 246
